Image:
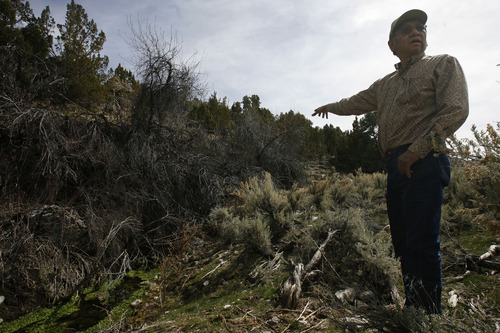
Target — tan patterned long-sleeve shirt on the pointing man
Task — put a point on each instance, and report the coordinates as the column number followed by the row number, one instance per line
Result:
column 421, row 103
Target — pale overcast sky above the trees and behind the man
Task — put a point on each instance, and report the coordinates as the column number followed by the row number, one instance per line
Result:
column 297, row 55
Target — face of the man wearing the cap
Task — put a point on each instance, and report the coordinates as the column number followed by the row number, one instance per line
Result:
column 410, row 39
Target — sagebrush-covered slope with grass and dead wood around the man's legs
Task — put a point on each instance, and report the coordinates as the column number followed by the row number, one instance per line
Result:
column 228, row 273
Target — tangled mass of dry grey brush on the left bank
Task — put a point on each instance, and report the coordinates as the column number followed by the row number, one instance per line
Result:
column 84, row 198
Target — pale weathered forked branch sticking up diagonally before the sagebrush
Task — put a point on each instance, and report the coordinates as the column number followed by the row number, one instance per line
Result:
column 292, row 288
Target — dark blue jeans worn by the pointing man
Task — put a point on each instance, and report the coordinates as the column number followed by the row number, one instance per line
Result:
column 414, row 209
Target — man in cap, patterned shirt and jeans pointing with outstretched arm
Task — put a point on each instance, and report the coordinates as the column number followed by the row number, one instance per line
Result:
column 418, row 106
